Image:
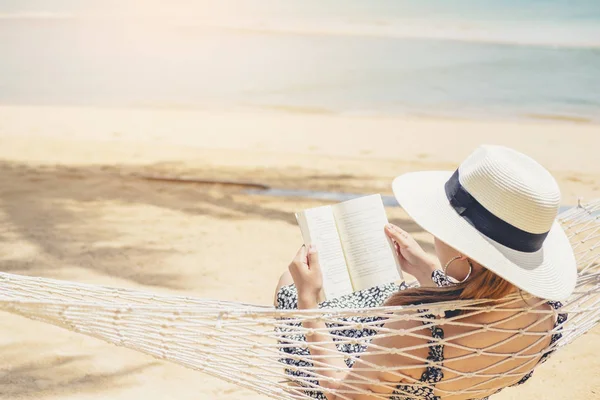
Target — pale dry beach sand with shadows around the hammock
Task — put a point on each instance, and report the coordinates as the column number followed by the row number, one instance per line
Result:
column 72, row 208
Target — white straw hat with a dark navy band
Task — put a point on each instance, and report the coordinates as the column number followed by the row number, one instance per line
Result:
column 499, row 209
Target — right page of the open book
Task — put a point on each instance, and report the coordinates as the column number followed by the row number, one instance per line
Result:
column 370, row 254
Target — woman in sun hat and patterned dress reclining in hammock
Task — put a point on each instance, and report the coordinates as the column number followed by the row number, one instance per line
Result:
column 493, row 221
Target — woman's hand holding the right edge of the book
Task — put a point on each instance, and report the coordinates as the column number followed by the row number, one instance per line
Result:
column 413, row 259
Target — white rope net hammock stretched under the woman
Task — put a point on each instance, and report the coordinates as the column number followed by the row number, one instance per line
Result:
column 245, row 344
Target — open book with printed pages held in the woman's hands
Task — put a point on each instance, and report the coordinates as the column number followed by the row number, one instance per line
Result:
column 354, row 251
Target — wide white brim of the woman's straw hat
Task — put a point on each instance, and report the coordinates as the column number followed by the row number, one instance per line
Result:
column 549, row 273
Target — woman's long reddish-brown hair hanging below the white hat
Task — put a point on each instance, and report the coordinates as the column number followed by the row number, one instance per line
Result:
column 483, row 285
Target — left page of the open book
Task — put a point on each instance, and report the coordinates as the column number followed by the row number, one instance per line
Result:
column 318, row 227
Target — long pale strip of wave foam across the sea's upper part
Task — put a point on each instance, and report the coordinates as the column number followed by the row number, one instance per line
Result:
column 526, row 33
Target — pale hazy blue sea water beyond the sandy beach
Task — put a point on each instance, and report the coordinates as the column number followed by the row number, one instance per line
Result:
column 447, row 58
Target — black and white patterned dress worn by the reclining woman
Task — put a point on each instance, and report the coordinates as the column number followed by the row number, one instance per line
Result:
column 287, row 298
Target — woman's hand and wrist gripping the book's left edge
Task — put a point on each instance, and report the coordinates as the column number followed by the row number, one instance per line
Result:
column 307, row 275
